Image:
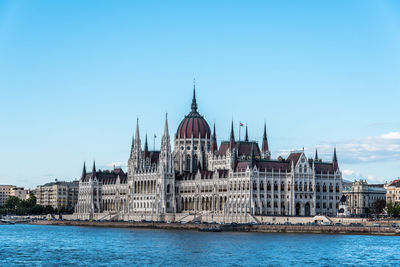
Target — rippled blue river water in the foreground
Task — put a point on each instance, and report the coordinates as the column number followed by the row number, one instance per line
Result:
column 66, row 245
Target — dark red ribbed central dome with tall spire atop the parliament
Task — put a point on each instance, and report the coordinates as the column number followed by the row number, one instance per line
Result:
column 193, row 125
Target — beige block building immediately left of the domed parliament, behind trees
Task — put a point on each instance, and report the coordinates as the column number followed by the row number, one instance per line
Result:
column 58, row 194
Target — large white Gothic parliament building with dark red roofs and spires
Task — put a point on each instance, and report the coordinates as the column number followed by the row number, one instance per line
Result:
column 199, row 179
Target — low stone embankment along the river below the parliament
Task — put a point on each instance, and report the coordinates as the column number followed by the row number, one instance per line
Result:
column 256, row 228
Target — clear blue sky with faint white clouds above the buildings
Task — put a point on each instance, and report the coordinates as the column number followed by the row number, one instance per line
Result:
column 74, row 75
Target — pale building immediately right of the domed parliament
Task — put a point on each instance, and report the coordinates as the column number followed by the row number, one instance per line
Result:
column 361, row 197
